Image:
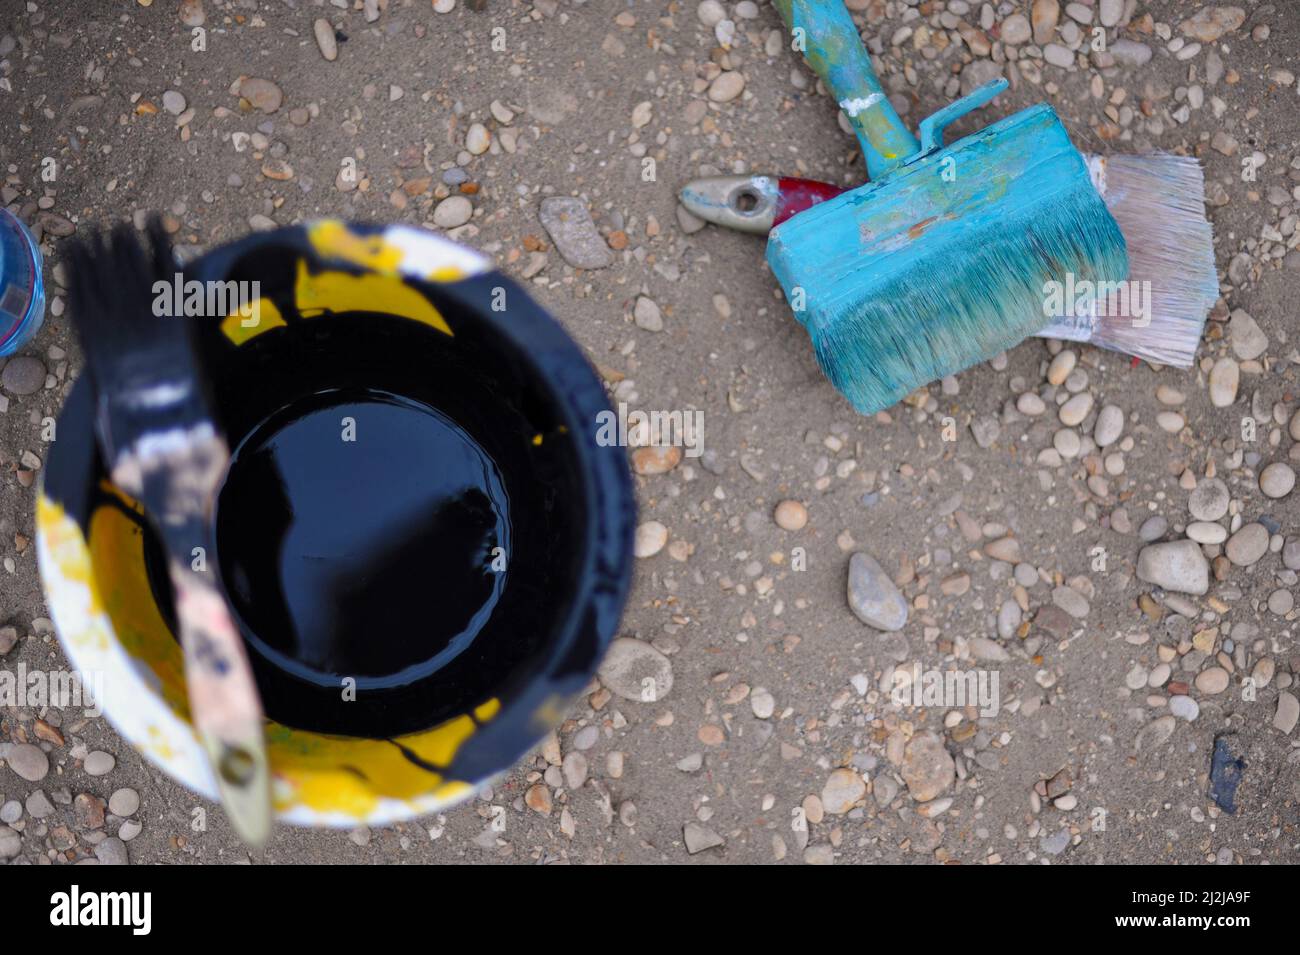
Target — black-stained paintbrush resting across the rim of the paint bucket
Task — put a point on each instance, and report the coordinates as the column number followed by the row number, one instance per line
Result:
column 162, row 446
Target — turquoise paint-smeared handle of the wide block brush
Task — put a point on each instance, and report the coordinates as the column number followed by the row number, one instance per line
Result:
column 833, row 47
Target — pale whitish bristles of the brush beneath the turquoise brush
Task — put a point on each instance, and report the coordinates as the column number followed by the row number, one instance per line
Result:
column 1159, row 203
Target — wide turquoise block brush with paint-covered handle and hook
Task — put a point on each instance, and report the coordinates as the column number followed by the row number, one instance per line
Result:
column 948, row 255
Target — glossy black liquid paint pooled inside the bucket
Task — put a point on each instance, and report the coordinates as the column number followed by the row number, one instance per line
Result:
column 362, row 536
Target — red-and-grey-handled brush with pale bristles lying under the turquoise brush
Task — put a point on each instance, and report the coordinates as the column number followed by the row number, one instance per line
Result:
column 1156, row 199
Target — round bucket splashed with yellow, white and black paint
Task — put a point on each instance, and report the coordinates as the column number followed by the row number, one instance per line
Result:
column 426, row 546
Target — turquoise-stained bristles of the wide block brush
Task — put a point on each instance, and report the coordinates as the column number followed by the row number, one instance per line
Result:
column 952, row 311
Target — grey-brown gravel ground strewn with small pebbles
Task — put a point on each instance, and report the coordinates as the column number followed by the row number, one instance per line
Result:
column 1004, row 514
